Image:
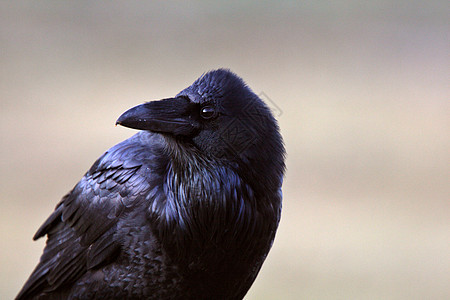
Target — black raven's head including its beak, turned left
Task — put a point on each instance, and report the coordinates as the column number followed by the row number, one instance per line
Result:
column 221, row 118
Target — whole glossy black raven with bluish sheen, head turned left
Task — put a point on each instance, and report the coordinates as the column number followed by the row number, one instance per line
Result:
column 187, row 208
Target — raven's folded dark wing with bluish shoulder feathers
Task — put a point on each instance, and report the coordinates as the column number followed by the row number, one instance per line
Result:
column 81, row 229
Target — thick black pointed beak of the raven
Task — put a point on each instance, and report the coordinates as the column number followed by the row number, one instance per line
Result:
column 165, row 116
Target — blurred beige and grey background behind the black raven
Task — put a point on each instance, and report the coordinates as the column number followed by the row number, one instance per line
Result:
column 363, row 89
